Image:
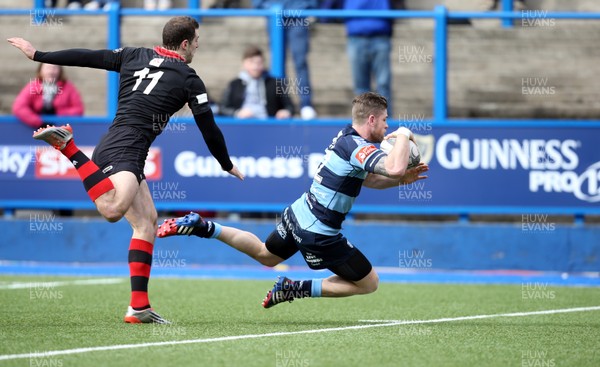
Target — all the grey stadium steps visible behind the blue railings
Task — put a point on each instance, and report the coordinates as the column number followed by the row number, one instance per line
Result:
column 486, row 63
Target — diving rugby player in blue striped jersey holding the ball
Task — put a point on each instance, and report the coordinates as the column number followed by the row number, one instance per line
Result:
column 312, row 223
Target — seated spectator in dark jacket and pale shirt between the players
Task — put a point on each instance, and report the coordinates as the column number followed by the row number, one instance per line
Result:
column 254, row 93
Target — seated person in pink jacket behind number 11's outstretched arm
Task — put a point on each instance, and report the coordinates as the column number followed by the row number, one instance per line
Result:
column 50, row 93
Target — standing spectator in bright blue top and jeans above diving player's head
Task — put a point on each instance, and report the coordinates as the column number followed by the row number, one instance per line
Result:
column 369, row 47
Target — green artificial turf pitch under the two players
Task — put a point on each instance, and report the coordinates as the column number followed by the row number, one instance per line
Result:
column 41, row 318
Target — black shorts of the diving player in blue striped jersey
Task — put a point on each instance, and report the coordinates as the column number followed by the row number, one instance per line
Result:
column 335, row 253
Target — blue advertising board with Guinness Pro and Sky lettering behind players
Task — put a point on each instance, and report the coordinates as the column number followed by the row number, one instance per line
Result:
column 469, row 166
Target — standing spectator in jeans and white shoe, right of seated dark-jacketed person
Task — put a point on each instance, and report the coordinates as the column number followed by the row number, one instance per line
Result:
column 296, row 39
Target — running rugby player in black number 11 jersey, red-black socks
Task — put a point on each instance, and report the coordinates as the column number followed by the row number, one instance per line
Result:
column 153, row 85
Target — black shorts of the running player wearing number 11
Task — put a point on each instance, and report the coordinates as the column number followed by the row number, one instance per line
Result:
column 123, row 148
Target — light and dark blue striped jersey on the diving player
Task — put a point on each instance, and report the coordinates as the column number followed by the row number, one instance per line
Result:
column 337, row 182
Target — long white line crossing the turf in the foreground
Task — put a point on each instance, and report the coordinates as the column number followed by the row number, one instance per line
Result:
column 284, row 333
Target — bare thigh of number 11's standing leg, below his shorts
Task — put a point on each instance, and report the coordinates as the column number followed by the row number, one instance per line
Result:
column 142, row 214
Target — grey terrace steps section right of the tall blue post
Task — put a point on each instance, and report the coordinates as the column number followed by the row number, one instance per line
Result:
column 486, row 76
